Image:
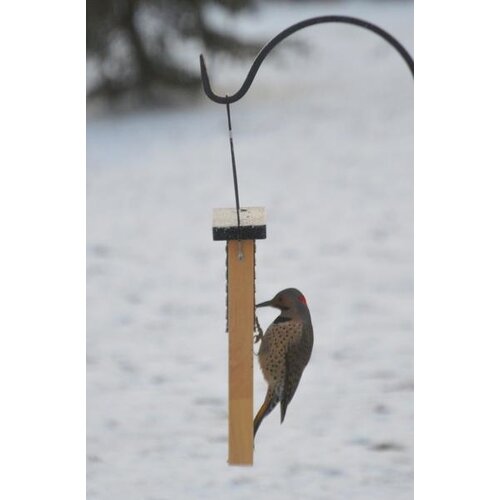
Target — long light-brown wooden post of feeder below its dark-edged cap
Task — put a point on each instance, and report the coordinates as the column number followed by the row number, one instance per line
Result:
column 241, row 307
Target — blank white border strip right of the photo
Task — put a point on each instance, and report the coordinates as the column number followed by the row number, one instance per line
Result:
column 457, row 251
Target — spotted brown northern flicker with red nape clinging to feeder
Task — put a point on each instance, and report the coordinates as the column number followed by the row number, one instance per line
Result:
column 284, row 351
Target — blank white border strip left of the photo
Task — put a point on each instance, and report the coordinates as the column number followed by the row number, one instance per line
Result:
column 42, row 274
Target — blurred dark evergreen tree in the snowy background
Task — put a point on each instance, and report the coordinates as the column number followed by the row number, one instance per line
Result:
column 132, row 44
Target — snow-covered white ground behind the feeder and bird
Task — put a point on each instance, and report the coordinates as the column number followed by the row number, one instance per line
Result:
column 324, row 141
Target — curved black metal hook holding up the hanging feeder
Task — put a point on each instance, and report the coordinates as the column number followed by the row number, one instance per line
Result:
column 286, row 33
